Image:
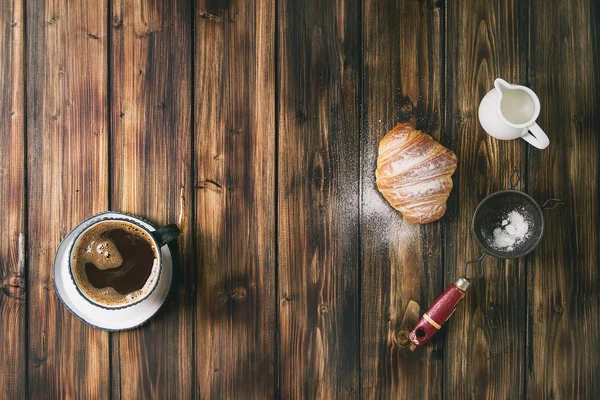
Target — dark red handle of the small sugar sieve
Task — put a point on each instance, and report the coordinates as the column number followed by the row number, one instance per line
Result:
column 439, row 312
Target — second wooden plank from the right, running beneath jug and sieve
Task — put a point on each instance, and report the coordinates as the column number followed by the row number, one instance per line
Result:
column 485, row 342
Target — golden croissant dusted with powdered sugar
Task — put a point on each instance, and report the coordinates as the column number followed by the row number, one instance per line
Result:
column 414, row 173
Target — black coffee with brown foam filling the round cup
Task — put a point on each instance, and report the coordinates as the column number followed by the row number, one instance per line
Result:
column 115, row 262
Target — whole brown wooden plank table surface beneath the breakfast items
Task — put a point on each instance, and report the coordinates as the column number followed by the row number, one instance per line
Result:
column 254, row 125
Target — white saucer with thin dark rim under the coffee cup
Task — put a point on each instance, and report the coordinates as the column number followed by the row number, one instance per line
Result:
column 98, row 317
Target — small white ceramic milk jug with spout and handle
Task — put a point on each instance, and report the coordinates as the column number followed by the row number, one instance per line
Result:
column 509, row 112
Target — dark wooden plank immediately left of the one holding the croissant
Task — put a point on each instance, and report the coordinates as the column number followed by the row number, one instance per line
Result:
column 318, row 75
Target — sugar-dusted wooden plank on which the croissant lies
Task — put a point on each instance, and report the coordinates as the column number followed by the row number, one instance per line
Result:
column 402, row 262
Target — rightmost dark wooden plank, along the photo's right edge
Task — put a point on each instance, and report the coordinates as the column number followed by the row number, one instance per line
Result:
column 564, row 273
